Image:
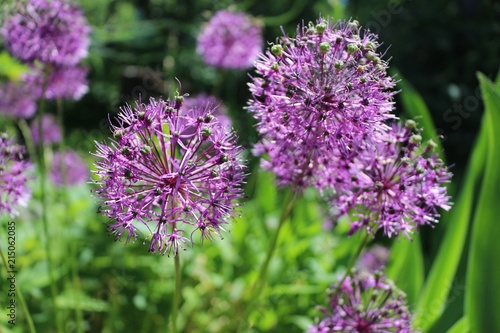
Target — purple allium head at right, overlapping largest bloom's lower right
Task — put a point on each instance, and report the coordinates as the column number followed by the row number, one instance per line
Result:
column 396, row 185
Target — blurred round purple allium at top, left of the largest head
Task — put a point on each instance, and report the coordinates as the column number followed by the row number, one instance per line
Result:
column 230, row 40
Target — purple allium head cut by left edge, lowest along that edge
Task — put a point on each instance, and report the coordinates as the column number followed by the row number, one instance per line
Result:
column 13, row 176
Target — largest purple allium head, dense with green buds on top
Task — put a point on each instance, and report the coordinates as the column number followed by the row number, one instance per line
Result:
column 317, row 98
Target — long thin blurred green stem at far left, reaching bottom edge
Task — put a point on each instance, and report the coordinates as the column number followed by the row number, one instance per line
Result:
column 43, row 196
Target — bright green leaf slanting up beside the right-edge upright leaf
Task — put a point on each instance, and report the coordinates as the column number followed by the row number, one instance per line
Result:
column 433, row 298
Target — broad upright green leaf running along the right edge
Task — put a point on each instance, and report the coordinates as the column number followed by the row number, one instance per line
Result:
column 483, row 272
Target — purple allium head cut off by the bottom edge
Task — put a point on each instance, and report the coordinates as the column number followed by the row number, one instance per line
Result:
column 365, row 303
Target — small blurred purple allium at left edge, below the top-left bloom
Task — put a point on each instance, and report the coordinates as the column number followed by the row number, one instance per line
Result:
column 17, row 100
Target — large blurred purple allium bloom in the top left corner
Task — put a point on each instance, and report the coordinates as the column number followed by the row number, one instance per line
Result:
column 49, row 31
